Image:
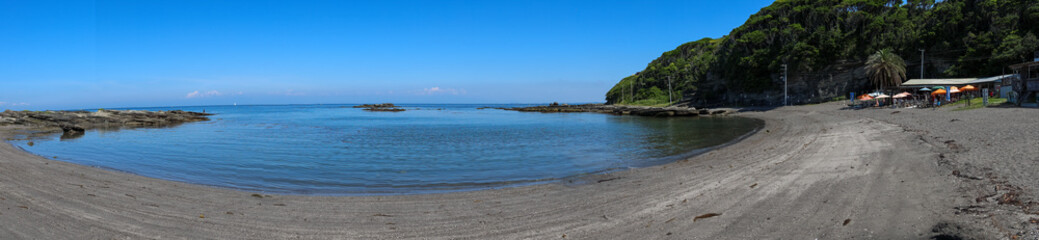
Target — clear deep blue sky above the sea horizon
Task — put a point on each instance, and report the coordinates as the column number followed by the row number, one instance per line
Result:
column 111, row 55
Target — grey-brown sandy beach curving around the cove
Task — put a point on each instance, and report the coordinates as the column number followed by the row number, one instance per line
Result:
column 813, row 172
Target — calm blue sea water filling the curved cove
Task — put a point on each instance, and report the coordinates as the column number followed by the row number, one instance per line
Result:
column 342, row 151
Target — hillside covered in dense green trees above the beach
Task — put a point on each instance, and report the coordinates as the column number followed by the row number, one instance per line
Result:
column 825, row 44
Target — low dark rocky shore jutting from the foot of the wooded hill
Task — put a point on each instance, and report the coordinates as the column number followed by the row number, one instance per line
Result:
column 625, row 111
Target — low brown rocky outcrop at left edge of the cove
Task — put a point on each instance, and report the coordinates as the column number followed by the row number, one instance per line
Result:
column 75, row 123
